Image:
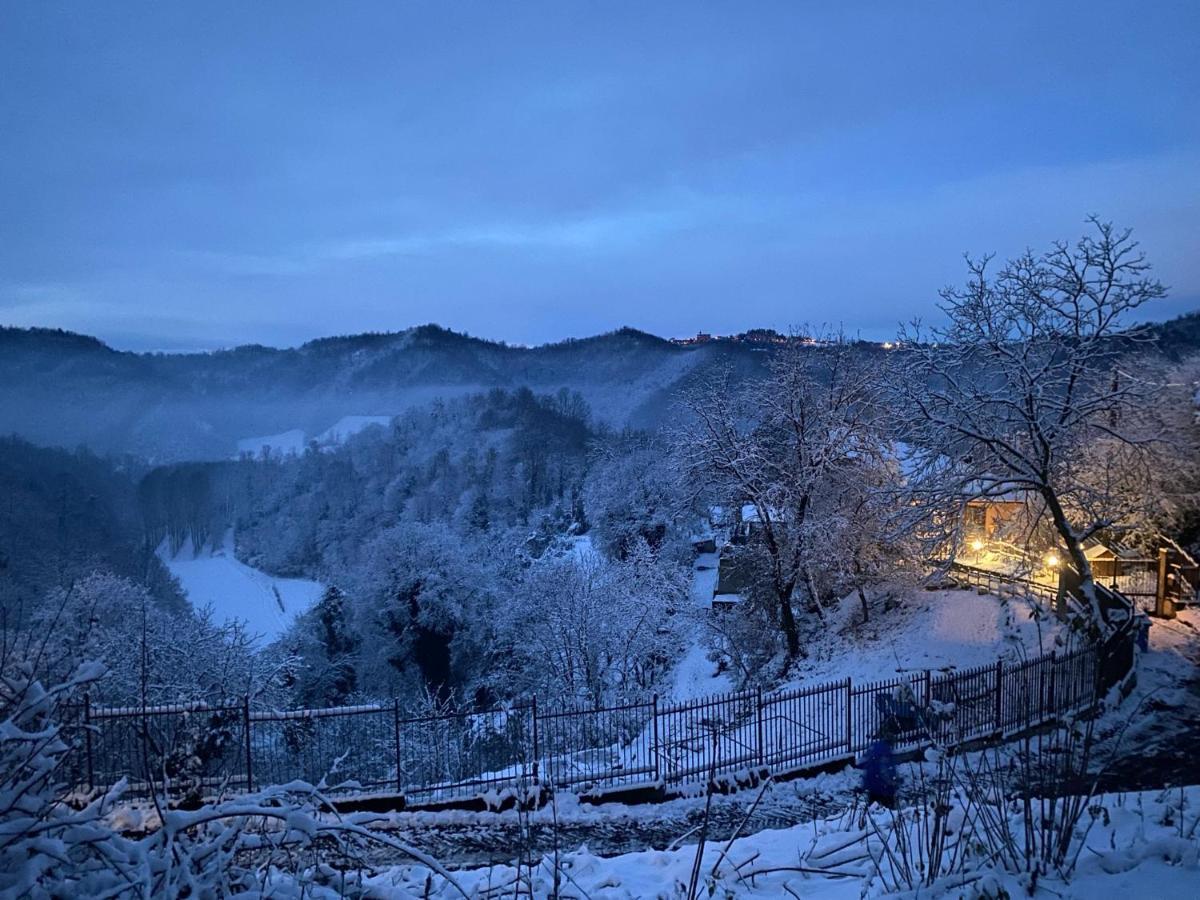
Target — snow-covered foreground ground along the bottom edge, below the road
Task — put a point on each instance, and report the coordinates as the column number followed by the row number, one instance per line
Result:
column 1144, row 845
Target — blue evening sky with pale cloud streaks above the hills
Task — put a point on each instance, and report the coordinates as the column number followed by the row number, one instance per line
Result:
column 211, row 173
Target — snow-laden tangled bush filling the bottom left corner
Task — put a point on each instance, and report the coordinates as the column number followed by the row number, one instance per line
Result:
column 285, row 842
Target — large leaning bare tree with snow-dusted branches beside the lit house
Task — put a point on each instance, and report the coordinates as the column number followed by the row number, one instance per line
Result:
column 1022, row 388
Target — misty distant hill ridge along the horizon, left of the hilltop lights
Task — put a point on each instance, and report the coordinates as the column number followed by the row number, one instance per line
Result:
column 63, row 389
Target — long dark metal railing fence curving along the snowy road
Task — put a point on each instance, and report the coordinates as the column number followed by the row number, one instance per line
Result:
column 207, row 751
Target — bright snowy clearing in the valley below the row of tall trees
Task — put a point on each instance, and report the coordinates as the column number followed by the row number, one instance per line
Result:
column 235, row 591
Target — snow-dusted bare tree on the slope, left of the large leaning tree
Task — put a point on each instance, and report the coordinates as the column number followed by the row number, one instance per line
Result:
column 778, row 446
